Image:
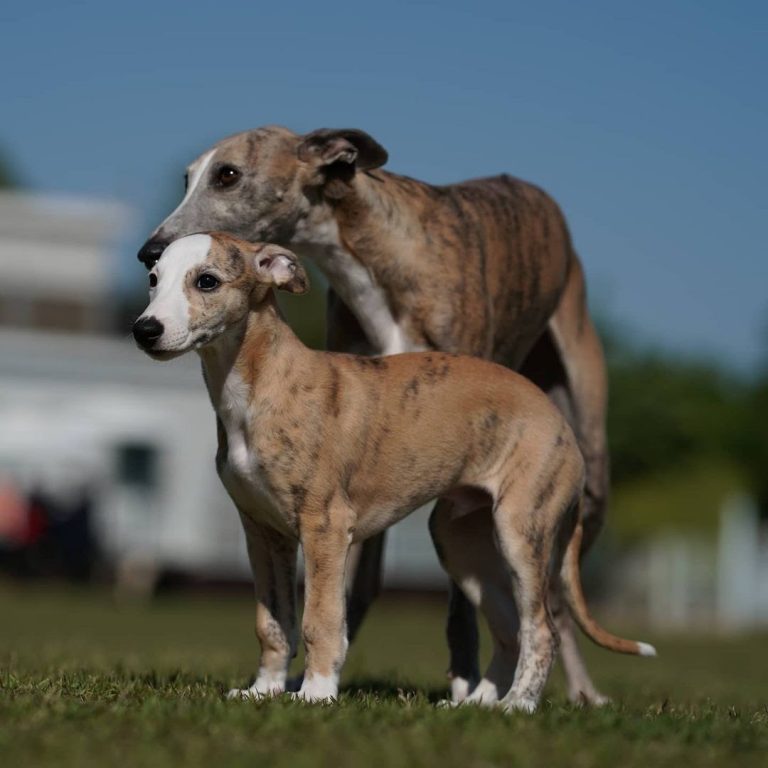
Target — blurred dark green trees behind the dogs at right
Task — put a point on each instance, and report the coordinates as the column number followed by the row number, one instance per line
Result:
column 669, row 412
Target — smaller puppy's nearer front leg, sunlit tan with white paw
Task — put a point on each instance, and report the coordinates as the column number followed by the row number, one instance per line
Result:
column 325, row 539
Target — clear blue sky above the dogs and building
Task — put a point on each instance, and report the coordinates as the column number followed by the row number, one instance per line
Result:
column 647, row 121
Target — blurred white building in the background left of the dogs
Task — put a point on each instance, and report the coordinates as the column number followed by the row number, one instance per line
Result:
column 84, row 409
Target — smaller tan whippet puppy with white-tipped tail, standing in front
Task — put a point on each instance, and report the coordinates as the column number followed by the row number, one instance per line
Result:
column 324, row 450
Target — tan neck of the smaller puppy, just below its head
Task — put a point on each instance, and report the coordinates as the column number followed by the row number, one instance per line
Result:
column 248, row 355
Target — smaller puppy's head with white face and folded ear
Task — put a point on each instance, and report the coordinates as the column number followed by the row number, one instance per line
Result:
column 205, row 284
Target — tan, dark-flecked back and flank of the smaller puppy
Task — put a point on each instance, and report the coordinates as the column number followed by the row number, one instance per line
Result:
column 405, row 429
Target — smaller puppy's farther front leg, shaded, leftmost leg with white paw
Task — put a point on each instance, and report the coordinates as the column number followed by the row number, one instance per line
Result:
column 273, row 563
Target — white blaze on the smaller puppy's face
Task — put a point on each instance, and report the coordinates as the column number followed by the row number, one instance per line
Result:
column 168, row 299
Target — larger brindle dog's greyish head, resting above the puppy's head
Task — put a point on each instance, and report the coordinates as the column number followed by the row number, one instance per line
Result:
column 259, row 185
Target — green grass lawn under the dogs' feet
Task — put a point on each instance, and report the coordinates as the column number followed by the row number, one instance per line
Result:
column 84, row 682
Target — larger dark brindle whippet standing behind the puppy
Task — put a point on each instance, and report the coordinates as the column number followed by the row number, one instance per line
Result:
column 484, row 268
